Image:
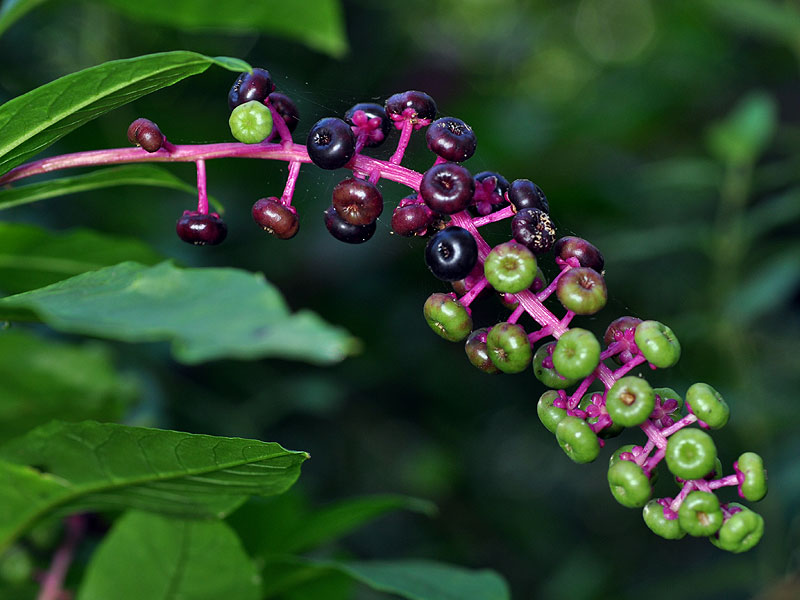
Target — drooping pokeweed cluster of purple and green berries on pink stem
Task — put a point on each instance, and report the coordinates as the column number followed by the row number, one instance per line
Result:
column 448, row 205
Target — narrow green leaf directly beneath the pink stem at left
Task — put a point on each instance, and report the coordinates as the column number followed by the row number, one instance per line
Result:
column 147, row 175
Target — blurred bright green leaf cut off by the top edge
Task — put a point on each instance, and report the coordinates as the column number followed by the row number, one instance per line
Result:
column 317, row 23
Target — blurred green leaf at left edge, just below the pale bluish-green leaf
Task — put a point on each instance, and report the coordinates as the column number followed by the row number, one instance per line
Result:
column 45, row 380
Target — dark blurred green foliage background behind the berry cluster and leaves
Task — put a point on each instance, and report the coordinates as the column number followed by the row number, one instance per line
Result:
column 667, row 133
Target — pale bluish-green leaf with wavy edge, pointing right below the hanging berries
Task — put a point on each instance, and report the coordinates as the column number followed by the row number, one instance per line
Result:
column 206, row 313
